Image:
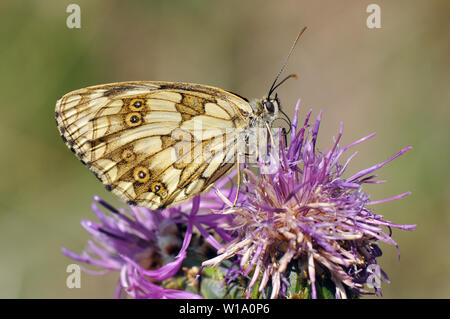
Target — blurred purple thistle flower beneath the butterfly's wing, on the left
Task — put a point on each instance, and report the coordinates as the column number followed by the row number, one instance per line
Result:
column 146, row 246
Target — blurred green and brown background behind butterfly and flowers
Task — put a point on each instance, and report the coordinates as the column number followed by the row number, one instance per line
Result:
column 394, row 80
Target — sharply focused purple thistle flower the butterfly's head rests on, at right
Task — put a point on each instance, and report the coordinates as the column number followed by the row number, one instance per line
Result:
column 301, row 209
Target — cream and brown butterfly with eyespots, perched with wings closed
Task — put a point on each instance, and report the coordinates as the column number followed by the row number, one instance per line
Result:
column 155, row 144
